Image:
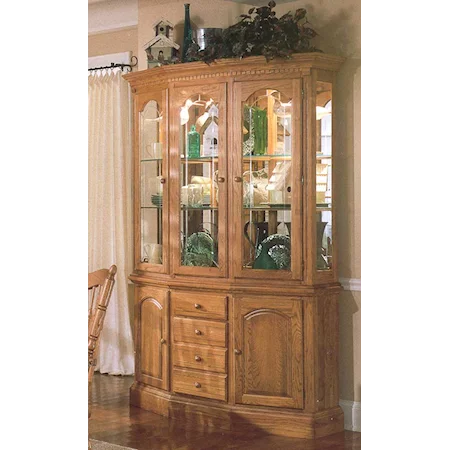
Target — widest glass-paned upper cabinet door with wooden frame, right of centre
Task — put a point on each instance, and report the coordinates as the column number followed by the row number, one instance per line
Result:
column 267, row 181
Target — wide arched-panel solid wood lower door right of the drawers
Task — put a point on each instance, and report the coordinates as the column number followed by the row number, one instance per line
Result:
column 268, row 338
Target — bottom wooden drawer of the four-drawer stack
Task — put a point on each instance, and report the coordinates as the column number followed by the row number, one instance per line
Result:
column 209, row 385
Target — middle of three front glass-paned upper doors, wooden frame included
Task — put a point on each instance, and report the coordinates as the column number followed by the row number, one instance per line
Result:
column 200, row 192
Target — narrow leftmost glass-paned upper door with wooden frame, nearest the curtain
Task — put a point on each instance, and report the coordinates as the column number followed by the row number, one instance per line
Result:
column 151, row 191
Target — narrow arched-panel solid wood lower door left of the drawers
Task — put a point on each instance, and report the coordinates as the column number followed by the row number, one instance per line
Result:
column 152, row 337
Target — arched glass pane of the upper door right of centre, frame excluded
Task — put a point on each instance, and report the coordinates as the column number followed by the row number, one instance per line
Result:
column 266, row 180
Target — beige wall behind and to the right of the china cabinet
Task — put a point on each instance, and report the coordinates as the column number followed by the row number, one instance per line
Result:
column 339, row 27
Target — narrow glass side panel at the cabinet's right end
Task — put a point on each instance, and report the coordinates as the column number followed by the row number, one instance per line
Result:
column 324, row 188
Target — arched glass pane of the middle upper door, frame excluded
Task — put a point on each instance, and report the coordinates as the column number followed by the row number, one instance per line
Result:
column 200, row 152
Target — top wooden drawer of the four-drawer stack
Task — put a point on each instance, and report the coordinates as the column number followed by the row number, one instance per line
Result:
column 201, row 305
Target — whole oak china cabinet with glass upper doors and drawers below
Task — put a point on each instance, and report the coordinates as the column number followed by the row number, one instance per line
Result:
column 236, row 305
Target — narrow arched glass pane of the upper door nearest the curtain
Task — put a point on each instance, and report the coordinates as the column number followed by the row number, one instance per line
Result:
column 151, row 161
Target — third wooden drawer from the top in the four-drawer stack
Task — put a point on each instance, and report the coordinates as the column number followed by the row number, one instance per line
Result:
column 205, row 358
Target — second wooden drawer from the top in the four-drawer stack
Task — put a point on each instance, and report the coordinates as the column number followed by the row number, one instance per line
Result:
column 195, row 331
